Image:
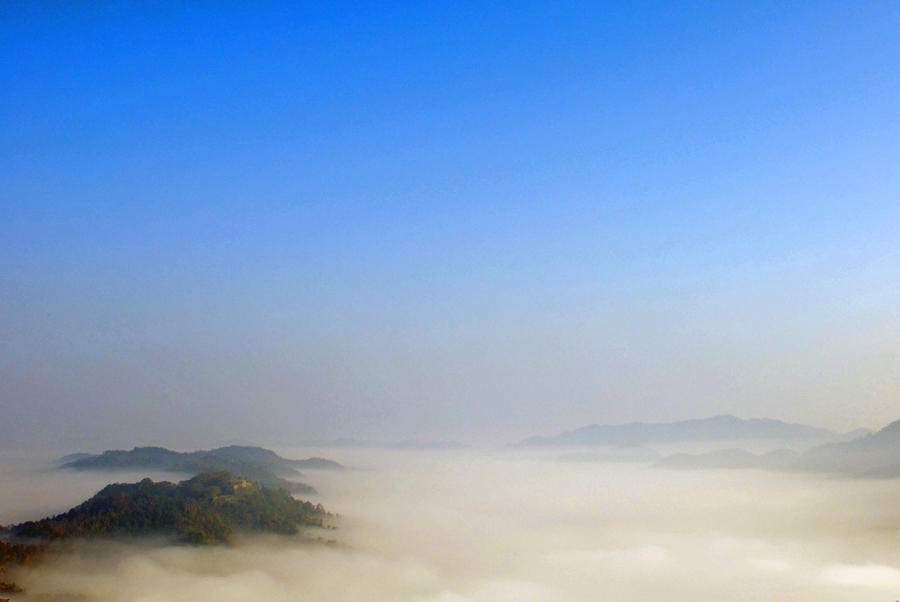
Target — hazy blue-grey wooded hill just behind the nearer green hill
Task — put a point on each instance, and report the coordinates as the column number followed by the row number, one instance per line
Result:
column 254, row 463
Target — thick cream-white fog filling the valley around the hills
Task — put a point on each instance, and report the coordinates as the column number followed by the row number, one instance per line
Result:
column 502, row 525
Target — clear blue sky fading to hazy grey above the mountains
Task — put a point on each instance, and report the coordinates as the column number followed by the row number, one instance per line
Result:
column 477, row 221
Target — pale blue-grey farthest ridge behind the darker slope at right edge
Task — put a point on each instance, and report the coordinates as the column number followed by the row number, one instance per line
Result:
column 718, row 428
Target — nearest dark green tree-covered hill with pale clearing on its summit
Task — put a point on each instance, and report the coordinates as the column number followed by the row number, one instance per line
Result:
column 209, row 508
